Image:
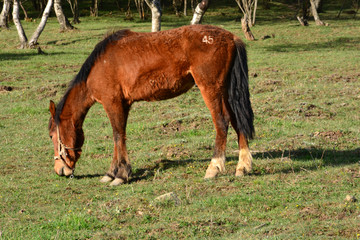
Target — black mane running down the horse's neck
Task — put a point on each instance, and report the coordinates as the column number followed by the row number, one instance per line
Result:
column 88, row 64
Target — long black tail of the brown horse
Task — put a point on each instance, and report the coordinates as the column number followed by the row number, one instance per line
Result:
column 238, row 93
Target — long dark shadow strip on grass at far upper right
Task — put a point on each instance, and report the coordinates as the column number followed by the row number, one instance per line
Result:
column 339, row 43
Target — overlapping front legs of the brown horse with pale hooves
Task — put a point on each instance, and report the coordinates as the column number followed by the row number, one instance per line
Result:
column 120, row 168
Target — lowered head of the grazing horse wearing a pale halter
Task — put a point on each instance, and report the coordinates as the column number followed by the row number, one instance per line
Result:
column 67, row 140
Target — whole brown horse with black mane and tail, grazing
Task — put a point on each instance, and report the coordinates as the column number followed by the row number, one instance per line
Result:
column 127, row 67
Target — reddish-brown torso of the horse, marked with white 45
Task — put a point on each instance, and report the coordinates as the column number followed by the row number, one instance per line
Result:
column 161, row 65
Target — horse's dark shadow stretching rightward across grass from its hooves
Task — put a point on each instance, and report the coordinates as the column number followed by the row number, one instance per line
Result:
column 328, row 157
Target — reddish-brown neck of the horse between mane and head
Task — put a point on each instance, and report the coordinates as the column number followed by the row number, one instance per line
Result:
column 77, row 104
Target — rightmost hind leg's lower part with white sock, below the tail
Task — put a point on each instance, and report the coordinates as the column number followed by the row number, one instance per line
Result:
column 245, row 159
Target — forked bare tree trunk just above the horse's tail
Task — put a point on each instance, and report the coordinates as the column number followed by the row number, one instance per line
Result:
column 248, row 8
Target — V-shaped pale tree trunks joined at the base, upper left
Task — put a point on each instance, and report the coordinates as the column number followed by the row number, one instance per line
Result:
column 24, row 43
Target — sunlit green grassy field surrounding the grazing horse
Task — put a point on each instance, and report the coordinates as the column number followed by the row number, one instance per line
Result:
column 305, row 90
